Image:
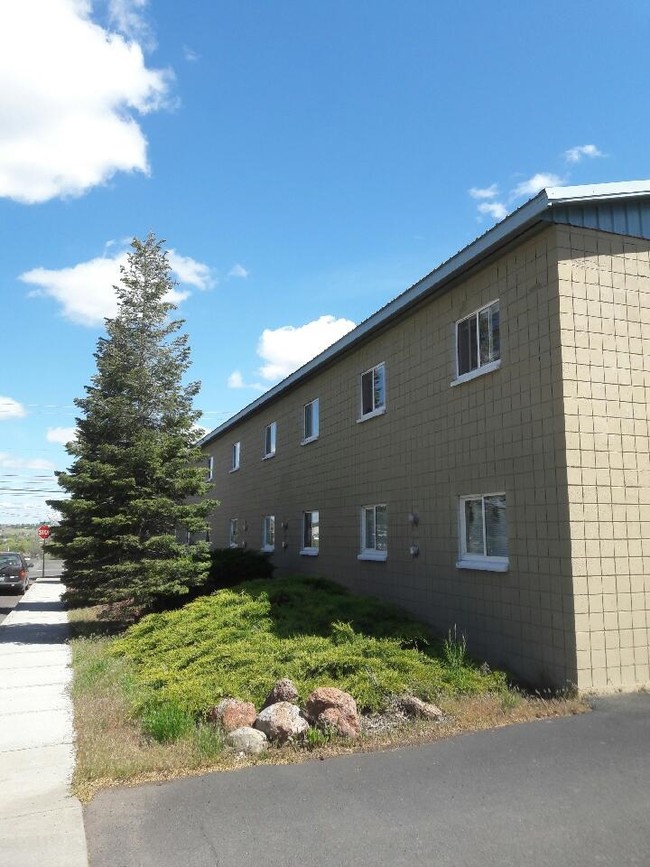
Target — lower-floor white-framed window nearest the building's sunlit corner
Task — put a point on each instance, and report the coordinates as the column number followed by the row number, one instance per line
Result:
column 483, row 532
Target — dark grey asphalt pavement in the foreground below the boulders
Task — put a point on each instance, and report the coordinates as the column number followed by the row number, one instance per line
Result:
column 570, row 792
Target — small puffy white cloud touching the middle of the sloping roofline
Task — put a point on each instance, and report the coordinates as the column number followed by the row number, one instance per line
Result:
column 287, row 348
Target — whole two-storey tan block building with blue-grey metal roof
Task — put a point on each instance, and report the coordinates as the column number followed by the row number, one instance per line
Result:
column 478, row 450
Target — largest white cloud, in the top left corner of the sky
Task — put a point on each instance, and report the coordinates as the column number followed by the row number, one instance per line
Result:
column 69, row 94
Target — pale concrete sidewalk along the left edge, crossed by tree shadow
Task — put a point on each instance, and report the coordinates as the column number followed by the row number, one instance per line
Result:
column 40, row 821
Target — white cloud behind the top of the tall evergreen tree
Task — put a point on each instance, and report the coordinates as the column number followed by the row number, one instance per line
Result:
column 85, row 291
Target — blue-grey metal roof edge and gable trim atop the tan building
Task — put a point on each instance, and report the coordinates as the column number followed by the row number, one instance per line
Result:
column 621, row 208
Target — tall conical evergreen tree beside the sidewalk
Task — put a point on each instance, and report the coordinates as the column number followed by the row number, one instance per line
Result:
column 137, row 482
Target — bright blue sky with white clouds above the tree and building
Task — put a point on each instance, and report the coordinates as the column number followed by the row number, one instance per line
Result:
column 305, row 162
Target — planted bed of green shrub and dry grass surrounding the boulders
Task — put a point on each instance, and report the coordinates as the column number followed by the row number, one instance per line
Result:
column 141, row 695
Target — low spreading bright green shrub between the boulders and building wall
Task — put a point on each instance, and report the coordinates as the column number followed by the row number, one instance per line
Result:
column 239, row 641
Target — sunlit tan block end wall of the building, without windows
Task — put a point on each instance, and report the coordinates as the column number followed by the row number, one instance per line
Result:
column 604, row 286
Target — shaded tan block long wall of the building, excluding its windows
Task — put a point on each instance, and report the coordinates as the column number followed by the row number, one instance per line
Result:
column 501, row 432
